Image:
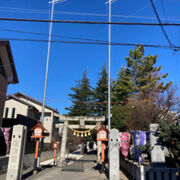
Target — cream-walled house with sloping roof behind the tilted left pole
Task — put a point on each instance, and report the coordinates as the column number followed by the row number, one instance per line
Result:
column 21, row 104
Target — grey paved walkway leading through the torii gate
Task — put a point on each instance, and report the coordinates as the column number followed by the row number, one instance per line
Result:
column 50, row 172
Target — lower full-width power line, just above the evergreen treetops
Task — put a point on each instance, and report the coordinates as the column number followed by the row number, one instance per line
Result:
column 175, row 48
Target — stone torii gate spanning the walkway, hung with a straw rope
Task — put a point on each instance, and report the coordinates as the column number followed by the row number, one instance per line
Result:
column 81, row 125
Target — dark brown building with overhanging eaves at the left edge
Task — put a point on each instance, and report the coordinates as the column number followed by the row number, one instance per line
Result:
column 8, row 73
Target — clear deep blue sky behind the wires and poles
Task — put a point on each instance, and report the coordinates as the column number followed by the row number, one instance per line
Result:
column 68, row 61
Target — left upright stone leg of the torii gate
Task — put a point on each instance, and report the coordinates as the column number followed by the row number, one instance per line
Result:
column 64, row 141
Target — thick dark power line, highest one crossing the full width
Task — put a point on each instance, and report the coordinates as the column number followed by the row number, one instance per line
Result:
column 90, row 22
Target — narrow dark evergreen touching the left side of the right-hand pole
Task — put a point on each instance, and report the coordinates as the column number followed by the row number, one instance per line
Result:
column 101, row 93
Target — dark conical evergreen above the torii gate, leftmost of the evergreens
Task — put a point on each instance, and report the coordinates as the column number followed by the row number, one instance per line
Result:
column 81, row 98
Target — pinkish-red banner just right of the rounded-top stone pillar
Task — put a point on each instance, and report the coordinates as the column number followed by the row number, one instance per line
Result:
column 124, row 143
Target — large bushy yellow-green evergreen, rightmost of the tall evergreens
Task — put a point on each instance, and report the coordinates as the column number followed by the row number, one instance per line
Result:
column 140, row 76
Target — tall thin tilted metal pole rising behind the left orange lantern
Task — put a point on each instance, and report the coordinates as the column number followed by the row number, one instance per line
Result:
column 46, row 75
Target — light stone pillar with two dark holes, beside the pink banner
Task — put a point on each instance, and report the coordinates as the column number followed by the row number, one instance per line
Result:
column 114, row 155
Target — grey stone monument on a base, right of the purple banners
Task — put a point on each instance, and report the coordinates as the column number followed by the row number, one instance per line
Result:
column 157, row 152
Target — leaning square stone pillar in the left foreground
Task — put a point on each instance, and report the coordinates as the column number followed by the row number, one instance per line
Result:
column 16, row 157
